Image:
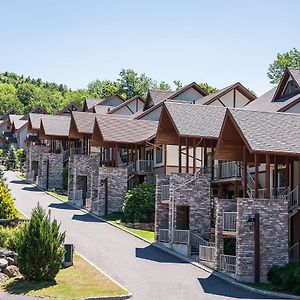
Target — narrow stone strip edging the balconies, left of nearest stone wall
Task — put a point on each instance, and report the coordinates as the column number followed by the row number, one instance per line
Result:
column 222, row 205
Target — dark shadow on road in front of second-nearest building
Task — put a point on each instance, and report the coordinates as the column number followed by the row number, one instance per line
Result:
column 152, row 253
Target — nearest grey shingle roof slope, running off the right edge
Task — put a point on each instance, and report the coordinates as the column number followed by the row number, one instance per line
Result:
column 269, row 131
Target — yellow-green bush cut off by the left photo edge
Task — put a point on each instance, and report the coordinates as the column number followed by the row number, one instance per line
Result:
column 7, row 206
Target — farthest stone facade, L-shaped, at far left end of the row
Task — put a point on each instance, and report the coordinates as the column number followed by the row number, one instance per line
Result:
column 33, row 158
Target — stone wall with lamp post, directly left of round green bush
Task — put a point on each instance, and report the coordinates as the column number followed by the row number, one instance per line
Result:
column 117, row 188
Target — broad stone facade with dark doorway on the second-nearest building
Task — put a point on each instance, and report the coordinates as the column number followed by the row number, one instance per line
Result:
column 189, row 191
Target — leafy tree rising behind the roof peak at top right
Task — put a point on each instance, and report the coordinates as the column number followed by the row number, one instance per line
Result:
column 287, row 59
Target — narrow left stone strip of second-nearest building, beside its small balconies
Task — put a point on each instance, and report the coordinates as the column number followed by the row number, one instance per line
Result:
column 161, row 209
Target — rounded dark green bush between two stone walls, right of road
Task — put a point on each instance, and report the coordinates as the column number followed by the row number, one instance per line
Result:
column 139, row 202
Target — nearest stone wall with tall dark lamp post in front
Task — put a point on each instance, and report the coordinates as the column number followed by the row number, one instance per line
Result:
column 273, row 216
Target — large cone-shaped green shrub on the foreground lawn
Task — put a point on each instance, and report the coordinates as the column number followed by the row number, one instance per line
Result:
column 39, row 245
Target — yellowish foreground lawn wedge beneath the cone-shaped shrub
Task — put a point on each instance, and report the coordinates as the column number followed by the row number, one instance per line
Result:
column 77, row 282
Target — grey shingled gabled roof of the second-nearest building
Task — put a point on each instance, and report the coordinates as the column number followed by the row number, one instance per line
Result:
column 192, row 120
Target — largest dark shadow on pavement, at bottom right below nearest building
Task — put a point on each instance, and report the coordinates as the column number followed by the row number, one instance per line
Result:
column 217, row 286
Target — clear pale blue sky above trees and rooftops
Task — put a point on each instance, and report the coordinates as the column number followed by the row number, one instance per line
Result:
column 76, row 41
